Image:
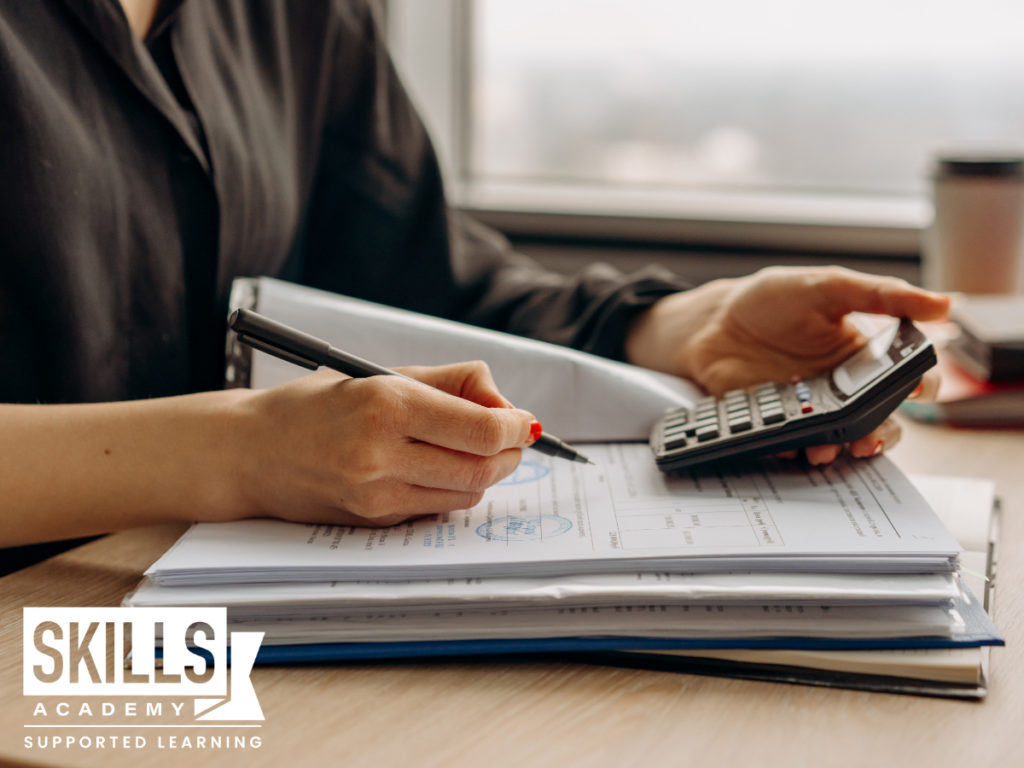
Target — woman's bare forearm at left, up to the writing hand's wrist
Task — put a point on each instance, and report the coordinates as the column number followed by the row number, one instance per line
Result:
column 84, row 470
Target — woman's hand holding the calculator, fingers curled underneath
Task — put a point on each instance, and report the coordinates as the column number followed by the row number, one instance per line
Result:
column 774, row 325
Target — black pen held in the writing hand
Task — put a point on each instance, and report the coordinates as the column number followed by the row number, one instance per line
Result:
column 309, row 352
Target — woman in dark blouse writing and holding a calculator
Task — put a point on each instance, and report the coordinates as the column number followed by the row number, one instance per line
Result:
column 152, row 153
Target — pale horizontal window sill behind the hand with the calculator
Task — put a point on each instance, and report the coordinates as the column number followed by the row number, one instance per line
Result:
column 833, row 224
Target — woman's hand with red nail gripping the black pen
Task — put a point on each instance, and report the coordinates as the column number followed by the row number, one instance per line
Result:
column 376, row 451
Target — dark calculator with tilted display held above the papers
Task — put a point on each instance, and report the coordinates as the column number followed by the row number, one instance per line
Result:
column 839, row 407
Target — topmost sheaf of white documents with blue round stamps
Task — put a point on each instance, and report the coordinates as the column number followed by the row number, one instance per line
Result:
column 552, row 519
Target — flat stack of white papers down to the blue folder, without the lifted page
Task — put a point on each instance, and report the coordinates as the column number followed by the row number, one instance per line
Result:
column 562, row 557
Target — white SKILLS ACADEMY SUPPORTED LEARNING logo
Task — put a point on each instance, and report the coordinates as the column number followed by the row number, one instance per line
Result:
column 110, row 660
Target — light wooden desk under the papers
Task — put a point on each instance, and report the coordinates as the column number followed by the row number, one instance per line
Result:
column 563, row 714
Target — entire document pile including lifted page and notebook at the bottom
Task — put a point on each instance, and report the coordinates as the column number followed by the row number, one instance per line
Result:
column 777, row 570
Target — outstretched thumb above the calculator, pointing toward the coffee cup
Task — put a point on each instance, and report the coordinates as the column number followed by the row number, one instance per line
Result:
column 846, row 291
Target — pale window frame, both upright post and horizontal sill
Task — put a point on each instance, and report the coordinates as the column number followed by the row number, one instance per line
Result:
column 432, row 41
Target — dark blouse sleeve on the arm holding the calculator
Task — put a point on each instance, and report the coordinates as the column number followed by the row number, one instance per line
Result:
column 379, row 228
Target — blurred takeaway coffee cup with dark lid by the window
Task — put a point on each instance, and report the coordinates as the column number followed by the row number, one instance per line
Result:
column 976, row 242
